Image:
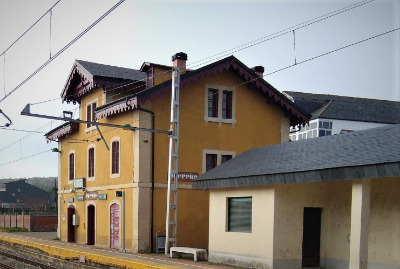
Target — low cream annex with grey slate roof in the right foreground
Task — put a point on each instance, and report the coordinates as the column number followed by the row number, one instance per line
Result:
column 328, row 202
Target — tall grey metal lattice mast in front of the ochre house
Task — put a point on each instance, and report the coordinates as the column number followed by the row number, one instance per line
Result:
column 172, row 191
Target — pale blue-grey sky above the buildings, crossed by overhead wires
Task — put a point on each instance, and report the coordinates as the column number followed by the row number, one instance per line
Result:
column 154, row 30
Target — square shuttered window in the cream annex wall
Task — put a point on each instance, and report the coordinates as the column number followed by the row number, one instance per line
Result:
column 239, row 217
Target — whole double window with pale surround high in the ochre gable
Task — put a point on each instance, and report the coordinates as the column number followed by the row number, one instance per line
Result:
column 220, row 104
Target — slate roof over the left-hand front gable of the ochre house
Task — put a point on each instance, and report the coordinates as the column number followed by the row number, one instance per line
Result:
column 110, row 71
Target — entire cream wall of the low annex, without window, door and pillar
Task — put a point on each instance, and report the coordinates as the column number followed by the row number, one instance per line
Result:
column 276, row 237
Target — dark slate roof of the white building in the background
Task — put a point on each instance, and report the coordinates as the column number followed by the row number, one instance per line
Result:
column 347, row 108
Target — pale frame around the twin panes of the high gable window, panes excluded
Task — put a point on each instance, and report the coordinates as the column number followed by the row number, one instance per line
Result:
column 219, row 119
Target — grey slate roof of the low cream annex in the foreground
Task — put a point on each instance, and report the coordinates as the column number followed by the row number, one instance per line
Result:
column 371, row 153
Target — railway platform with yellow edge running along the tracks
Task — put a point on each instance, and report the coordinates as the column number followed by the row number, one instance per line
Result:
column 110, row 257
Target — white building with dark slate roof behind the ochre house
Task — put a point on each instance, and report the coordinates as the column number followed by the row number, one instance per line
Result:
column 333, row 114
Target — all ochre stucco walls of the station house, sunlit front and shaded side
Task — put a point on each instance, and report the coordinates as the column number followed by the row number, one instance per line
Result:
column 258, row 123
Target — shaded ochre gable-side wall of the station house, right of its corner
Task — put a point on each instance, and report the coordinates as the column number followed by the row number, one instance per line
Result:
column 257, row 124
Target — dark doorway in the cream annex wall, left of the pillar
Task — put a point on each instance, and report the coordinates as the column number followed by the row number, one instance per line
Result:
column 311, row 236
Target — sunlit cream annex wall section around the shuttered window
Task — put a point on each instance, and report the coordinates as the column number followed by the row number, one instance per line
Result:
column 237, row 247
